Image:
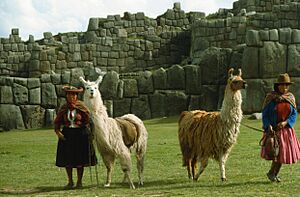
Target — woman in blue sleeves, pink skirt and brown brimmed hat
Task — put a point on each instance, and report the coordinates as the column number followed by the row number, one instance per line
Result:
column 280, row 112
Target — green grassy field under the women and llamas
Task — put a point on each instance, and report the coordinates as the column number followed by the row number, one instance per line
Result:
column 27, row 168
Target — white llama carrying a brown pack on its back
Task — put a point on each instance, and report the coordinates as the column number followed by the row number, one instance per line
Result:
column 108, row 134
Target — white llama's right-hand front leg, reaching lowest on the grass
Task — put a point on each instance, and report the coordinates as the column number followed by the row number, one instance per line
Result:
column 125, row 161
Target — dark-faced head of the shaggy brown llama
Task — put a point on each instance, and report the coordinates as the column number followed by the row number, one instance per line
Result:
column 236, row 82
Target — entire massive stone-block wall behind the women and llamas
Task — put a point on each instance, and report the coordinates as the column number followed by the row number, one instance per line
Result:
column 155, row 67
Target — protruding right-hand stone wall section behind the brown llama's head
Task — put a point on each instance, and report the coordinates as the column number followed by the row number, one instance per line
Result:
column 261, row 37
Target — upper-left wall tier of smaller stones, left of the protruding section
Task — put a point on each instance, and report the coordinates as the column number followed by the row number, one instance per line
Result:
column 124, row 44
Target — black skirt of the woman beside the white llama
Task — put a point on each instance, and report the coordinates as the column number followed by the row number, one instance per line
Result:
column 76, row 150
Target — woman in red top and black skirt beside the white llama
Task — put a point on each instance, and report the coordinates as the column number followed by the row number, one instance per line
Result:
column 74, row 149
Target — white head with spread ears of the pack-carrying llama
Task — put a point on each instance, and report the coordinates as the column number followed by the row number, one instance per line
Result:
column 92, row 87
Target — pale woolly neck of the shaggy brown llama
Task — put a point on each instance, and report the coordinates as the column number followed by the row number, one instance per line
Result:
column 231, row 110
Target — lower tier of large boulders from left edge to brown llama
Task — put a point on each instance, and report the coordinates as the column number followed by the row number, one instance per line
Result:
column 33, row 102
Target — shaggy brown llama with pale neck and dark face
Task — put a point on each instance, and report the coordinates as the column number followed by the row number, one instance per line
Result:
column 203, row 135
